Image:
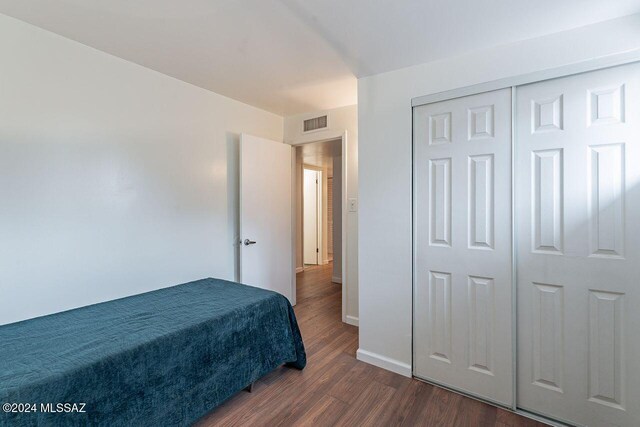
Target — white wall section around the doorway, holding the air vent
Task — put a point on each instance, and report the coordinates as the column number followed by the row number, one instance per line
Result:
column 340, row 119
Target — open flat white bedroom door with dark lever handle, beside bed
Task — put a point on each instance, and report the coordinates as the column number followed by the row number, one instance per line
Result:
column 265, row 214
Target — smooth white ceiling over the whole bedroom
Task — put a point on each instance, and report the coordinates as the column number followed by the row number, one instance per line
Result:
column 294, row 56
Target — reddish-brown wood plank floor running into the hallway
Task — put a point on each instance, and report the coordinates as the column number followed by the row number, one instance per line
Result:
column 337, row 390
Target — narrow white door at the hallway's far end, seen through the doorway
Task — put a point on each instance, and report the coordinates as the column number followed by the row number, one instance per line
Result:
column 310, row 217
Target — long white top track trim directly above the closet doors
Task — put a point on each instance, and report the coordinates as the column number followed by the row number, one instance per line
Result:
column 606, row 61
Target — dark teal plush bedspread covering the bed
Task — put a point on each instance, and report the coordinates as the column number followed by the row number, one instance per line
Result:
column 165, row 357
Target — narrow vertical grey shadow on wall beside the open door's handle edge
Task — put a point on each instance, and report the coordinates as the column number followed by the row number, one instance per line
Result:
column 233, row 200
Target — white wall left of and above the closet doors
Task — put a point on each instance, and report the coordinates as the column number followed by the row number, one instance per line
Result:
column 384, row 106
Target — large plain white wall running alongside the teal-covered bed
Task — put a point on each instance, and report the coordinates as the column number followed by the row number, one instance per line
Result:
column 114, row 179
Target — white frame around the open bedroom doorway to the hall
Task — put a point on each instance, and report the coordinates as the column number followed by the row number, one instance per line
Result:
column 325, row 136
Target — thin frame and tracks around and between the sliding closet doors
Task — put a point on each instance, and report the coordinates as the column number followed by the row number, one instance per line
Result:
column 599, row 63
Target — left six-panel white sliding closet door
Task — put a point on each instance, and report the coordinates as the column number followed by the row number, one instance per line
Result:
column 462, row 226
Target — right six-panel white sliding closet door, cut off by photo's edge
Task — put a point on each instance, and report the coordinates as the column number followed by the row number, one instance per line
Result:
column 578, row 233
